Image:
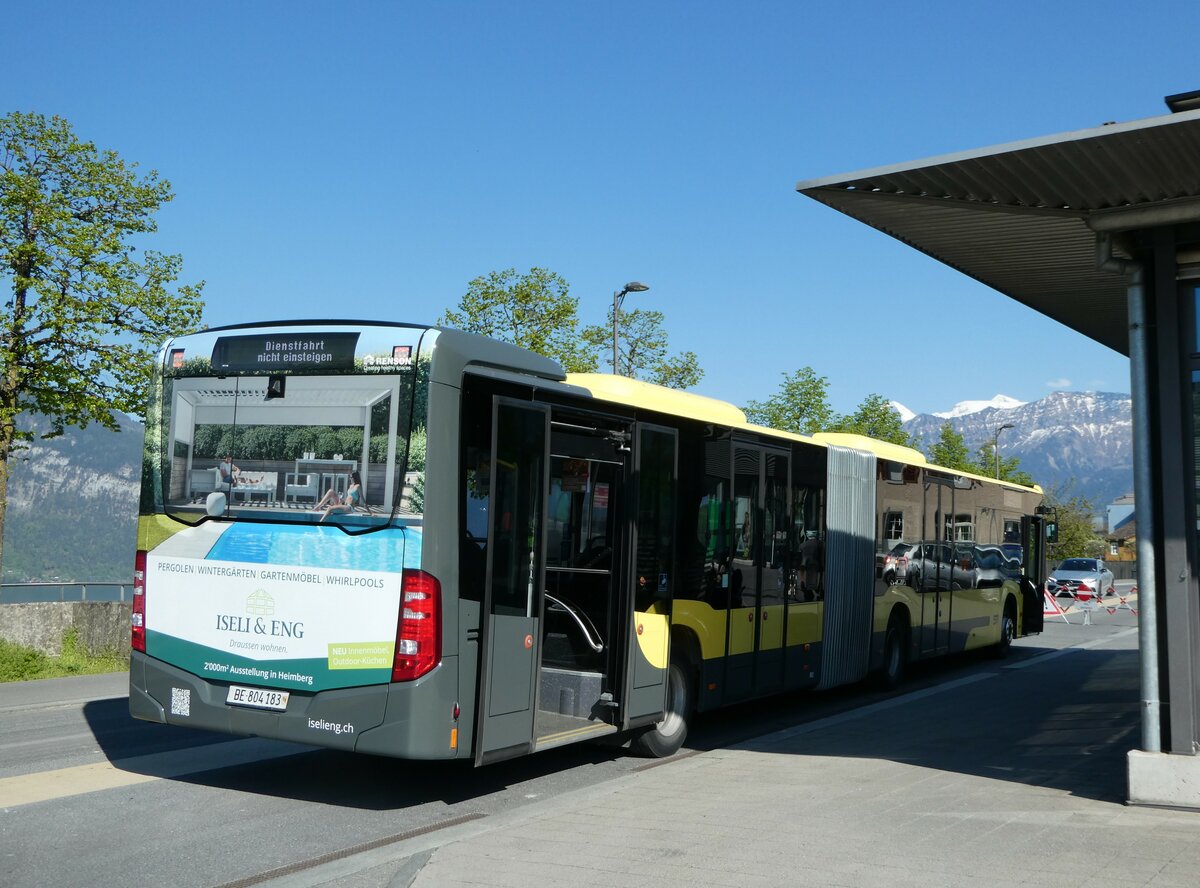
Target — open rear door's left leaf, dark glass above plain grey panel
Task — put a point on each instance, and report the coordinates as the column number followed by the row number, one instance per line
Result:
column 513, row 595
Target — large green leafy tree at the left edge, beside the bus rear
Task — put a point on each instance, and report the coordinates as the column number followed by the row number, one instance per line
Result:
column 85, row 314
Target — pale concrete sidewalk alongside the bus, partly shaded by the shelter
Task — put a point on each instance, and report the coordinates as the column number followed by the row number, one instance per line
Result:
column 1011, row 776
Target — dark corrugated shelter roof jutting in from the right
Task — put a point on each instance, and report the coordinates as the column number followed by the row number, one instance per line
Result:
column 1024, row 218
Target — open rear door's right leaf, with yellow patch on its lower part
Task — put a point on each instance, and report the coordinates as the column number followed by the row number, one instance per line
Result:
column 655, row 572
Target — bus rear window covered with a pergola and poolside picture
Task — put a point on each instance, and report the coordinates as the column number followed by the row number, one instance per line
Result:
column 343, row 448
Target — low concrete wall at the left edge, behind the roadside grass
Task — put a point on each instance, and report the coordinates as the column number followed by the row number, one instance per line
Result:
column 103, row 627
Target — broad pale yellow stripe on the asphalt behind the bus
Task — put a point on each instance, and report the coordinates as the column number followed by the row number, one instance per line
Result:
column 49, row 785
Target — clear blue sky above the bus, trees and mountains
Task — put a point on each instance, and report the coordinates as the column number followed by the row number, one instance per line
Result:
column 367, row 160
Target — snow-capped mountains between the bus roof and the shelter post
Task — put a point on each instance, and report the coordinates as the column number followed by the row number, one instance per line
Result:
column 1078, row 443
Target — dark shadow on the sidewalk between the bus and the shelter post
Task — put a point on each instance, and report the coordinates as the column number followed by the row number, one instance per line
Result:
column 1066, row 724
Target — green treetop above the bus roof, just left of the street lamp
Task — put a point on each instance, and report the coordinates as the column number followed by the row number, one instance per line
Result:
column 535, row 310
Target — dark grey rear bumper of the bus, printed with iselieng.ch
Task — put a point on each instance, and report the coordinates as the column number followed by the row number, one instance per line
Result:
column 391, row 719
